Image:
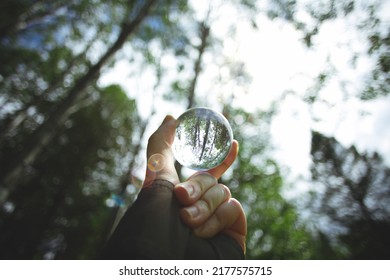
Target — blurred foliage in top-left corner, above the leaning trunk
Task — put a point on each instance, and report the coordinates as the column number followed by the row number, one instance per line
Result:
column 39, row 60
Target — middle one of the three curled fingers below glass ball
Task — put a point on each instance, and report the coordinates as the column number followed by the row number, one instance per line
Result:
column 203, row 209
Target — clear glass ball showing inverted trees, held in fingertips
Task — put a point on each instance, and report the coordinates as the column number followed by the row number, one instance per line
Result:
column 203, row 139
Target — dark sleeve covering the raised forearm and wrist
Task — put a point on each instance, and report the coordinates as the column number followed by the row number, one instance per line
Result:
column 152, row 229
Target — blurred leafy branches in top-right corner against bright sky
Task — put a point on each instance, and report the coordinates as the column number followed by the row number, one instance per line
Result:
column 366, row 20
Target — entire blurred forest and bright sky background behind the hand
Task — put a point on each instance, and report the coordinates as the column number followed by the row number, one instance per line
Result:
column 72, row 138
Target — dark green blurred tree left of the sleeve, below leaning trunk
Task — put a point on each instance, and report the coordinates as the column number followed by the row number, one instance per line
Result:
column 61, row 207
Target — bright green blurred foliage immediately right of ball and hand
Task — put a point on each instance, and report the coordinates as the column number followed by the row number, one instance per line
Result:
column 274, row 227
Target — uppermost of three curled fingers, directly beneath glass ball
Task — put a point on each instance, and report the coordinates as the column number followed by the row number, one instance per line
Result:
column 191, row 190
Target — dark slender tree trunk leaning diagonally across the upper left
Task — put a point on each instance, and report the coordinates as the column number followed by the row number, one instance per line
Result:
column 45, row 133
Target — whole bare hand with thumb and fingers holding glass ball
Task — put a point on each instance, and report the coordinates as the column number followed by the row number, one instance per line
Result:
column 208, row 208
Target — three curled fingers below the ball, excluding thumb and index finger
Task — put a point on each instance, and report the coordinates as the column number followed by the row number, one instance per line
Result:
column 210, row 209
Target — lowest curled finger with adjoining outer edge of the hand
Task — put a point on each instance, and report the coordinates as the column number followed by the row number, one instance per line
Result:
column 229, row 218
